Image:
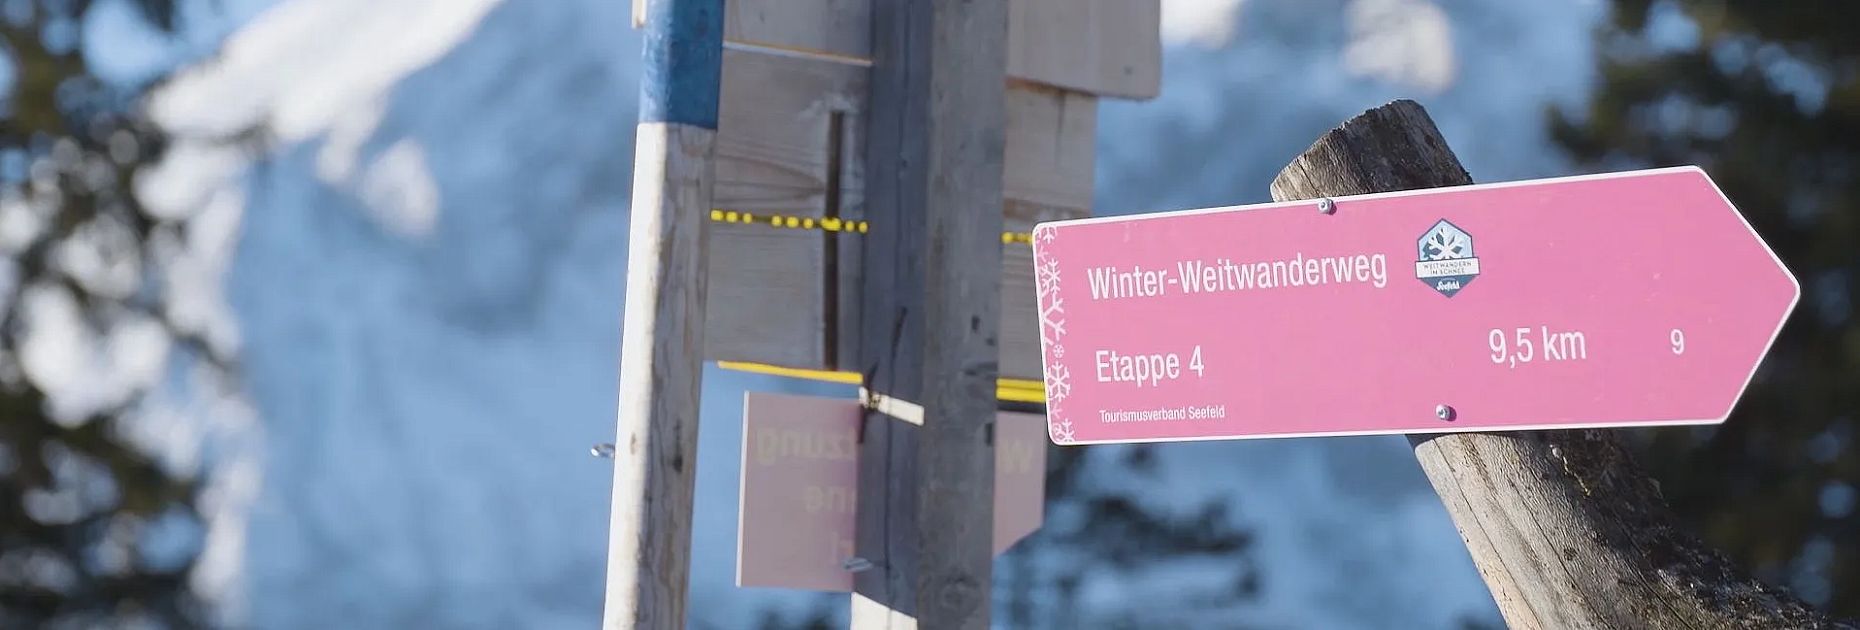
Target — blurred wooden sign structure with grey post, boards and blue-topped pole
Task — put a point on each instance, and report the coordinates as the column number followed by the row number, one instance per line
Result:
column 845, row 189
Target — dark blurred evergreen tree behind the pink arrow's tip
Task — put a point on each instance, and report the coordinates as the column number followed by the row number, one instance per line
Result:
column 1766, row 98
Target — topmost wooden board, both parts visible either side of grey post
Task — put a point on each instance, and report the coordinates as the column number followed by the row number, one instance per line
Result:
column 1100, row 47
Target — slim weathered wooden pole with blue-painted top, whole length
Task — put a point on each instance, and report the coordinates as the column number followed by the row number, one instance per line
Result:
column 661, row 361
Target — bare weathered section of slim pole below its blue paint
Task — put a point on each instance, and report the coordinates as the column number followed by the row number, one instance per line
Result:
column 661, row 369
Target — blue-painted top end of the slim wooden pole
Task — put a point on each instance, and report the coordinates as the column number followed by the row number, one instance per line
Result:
column 684, row 62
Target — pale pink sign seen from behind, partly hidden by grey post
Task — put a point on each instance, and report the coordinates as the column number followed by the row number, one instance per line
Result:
column 801, row 486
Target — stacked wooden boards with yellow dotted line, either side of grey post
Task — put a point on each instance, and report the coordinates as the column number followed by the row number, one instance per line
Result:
column 791, row 176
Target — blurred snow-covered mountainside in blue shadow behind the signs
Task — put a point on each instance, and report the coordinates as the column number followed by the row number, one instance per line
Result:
column 423, row 272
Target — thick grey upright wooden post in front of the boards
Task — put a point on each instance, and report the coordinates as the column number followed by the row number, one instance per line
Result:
column 929, row 313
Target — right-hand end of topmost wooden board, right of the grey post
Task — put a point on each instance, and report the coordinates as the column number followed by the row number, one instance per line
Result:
column 1104, row 47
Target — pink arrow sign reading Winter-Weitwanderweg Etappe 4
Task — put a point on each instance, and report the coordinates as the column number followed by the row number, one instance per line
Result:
column 1617, row 300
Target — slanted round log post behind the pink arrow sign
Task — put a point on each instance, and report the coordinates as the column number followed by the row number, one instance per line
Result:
column 1567, row 531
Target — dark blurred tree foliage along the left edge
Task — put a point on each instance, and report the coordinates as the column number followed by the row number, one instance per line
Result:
column 94, row 531
